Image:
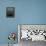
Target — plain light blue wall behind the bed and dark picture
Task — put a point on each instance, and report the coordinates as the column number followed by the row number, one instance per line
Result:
column 27, row 12
